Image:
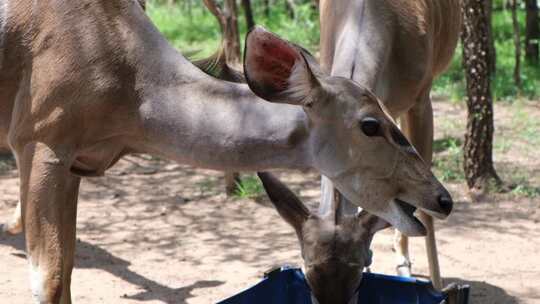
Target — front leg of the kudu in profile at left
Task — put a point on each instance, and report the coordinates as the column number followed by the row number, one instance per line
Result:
column 49, row 207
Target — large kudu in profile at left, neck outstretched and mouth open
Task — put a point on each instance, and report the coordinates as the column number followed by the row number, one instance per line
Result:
column 83, row 83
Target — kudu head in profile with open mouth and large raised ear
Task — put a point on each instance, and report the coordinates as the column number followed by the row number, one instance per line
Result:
column 352, row 139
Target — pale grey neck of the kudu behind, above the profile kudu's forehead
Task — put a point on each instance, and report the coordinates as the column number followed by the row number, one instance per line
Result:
column 356, row 42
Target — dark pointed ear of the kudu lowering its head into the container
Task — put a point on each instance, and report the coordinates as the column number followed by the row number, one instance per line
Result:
column 288, row 205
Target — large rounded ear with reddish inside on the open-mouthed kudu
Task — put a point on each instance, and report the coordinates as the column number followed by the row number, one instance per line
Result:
column 279, row 71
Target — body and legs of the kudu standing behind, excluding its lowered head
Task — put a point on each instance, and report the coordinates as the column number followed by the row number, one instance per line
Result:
column 395, row 48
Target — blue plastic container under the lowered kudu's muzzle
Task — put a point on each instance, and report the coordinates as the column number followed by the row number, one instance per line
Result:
column 288, row 286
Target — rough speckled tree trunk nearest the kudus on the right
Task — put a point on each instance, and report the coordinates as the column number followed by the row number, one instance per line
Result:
column 478, row 161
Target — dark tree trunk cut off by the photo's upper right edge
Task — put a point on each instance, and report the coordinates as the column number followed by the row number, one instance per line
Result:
column 532, row 32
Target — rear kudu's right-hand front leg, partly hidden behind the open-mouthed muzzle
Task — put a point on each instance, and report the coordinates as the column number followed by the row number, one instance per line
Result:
column 417, row 125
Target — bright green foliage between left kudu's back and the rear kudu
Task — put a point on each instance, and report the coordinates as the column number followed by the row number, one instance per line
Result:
column 193, row 29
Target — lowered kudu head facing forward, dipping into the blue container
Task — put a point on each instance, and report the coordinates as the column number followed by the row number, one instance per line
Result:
column 335, row 246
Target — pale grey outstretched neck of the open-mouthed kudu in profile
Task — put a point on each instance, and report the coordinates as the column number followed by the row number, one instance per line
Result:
column 193, row 118
